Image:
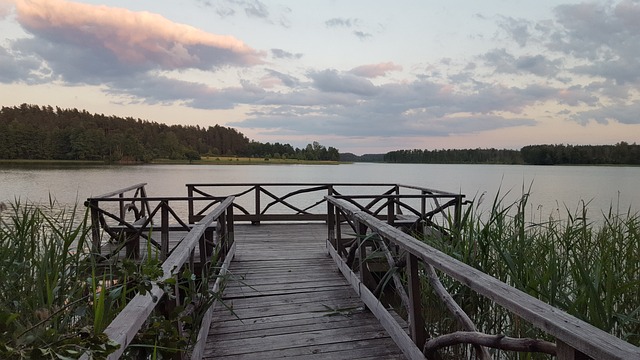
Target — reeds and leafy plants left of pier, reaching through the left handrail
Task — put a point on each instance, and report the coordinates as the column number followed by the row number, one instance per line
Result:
column 56, row 299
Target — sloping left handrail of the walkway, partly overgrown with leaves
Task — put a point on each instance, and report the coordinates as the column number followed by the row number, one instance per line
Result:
column 129, row 321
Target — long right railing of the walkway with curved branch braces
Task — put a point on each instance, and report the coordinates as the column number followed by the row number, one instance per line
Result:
column 575, row 339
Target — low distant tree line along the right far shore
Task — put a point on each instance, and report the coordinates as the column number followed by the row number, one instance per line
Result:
column 618, row 154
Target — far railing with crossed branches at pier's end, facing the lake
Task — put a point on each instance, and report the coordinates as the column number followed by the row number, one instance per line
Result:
column 305, row 201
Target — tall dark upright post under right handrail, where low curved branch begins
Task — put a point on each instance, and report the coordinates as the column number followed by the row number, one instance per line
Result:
column 416, row 318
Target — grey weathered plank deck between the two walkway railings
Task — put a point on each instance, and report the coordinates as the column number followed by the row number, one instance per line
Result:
column 290, row 300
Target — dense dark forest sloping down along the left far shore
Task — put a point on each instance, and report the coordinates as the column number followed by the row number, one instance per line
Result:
column 46, row 133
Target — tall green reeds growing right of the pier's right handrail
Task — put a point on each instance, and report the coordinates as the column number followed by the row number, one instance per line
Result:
column 586, row 266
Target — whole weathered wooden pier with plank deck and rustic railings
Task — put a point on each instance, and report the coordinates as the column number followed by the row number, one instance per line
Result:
column 320, row 271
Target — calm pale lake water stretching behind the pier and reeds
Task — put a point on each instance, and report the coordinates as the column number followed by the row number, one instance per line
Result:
column 552, row 187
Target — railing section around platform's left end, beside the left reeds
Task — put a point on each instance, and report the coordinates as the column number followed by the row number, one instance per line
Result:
column 152, row 216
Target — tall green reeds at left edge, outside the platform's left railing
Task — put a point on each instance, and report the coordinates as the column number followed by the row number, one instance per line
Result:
column 44, row 295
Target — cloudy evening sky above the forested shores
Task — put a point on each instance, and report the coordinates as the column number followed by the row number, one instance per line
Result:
column 364, row 76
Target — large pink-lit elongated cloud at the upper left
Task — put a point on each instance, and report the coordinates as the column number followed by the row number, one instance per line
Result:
column 134, row 38
